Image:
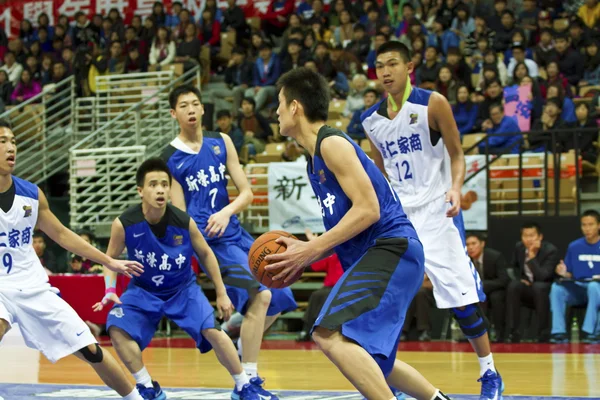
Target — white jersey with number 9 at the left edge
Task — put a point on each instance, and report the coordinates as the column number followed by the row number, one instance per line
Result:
column 20, row 267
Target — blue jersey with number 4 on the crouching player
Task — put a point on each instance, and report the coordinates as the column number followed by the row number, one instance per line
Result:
column 165, row 250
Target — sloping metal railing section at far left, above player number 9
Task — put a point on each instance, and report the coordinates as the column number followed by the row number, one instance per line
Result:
column 42, row 127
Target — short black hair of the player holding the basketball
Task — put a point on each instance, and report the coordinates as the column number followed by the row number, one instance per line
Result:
column 309, row 89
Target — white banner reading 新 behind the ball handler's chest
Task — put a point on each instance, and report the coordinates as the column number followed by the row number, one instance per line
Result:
column 293, row 206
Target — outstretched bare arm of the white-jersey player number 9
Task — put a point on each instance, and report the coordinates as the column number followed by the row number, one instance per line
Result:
column 70, row 241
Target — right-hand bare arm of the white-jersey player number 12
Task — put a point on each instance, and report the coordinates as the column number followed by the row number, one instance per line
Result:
column 442, row 120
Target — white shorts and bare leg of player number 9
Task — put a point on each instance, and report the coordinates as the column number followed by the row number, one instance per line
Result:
column 43, row 315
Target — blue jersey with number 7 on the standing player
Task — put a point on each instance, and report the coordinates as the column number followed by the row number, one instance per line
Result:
column 202, row 177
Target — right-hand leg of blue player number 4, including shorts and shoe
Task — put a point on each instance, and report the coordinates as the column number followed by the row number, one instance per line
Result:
column 192, row 312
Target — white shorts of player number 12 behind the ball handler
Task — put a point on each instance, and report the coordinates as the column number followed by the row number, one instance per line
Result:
column 455, row 281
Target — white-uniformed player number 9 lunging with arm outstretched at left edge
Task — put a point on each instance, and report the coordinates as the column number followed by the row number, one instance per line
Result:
column 47, row 322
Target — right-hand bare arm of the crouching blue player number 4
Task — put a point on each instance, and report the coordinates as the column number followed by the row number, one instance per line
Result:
column 209, row 261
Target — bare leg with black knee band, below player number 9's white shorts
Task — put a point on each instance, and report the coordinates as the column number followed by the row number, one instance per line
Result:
column 108, row 370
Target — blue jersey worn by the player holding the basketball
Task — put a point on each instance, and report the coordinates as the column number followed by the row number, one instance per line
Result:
column 335, row 203
